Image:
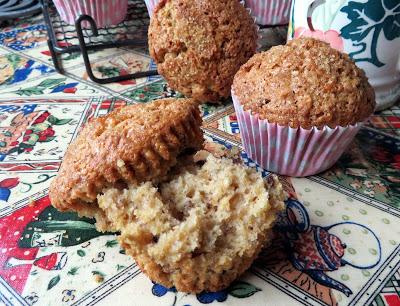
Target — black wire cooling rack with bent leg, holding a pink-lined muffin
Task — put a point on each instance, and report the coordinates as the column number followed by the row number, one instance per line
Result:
column 65, row 38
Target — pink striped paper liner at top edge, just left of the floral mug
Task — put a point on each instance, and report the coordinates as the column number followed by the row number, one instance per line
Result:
column 270, row 12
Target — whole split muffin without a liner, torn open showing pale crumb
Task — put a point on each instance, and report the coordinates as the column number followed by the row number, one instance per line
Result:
column 190, row 220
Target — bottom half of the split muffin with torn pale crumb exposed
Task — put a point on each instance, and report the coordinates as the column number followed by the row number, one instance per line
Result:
column 199, row 231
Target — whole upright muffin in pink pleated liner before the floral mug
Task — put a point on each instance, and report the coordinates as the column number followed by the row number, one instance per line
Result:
column 300, row 105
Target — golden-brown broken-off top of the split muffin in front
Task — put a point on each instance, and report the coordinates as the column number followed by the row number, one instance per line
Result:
column 130, row 145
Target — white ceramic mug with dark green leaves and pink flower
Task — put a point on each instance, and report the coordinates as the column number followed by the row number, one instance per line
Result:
column 368, row 30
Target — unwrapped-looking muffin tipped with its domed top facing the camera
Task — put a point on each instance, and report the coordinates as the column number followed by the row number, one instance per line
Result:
column 199, row 45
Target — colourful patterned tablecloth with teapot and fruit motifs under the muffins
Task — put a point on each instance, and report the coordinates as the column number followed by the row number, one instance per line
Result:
column 341, row 245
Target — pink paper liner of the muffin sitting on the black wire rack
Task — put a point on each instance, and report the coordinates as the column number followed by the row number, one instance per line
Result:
column 104, row 12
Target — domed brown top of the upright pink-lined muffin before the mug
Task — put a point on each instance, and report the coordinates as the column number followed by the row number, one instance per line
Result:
column 304, row 83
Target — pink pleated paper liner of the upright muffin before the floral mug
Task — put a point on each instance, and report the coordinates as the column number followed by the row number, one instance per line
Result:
column 292, row 151
